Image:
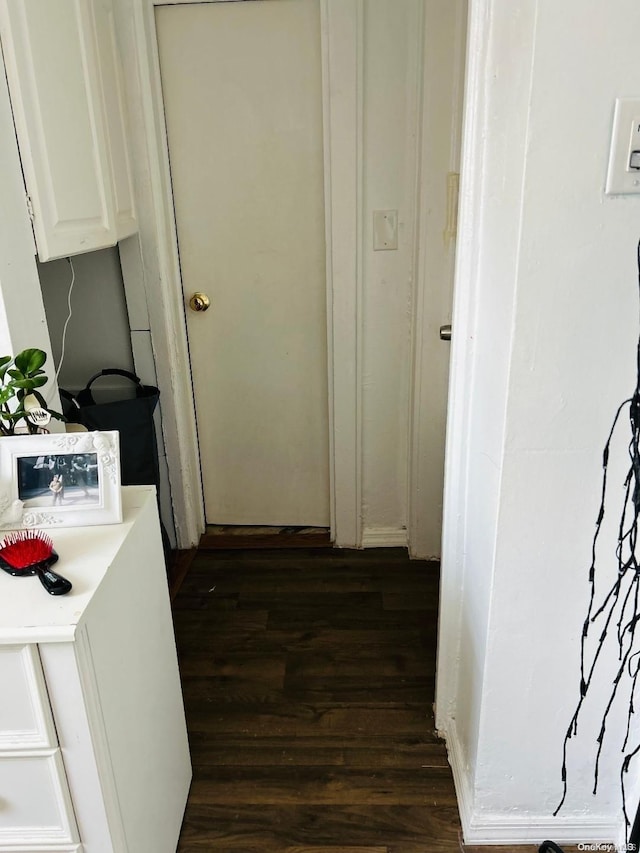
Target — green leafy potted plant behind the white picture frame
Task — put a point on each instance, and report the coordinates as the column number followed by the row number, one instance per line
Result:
column 22, row 406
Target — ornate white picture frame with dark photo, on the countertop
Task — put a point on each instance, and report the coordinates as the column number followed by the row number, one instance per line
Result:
column 60, row 480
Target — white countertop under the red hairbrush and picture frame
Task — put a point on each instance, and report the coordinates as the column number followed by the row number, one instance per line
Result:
column 28, row 613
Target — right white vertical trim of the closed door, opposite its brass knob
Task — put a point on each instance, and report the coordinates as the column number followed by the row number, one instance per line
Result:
column 341, row 30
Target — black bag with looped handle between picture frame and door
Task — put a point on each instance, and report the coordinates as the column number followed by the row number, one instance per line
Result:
column 132, row 418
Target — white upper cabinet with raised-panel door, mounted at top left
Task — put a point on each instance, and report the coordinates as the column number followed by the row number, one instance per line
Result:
column 64, row 78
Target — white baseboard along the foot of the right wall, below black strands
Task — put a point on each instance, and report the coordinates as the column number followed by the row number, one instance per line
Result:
column 487, row 828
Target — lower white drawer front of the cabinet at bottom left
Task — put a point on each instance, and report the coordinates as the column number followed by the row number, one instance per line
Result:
column 35, row 806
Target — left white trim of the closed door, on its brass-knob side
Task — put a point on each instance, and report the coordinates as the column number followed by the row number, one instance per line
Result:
column 150, row 264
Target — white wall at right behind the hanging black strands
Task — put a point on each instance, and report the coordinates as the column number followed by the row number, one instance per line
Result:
column 546, row 310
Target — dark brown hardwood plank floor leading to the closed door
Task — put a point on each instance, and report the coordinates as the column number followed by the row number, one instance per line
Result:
column 308, row 678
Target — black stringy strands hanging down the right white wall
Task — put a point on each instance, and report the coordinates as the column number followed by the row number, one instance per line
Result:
column 619, row 606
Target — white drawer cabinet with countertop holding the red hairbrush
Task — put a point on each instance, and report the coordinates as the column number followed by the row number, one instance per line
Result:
column 93, row 746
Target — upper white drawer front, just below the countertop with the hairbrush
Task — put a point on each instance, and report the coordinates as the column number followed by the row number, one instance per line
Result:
column 25, row 714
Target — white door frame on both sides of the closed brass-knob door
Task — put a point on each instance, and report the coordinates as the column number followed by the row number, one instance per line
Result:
column 151, row 266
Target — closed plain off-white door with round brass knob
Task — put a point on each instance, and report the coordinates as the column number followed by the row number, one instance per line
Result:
column 242, row 88
